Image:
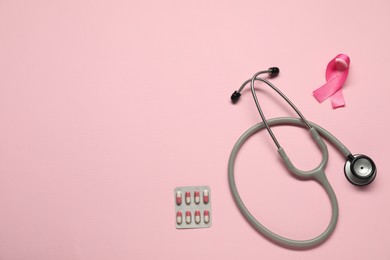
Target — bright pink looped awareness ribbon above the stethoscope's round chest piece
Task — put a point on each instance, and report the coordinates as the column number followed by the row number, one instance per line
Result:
column 336, row 74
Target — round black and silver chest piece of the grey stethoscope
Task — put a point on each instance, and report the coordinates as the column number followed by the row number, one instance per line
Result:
column 360, row 169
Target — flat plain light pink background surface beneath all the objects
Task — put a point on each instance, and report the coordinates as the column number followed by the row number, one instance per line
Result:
column 107, row 106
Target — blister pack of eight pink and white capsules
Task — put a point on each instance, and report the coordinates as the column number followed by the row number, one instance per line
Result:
column 193, row 207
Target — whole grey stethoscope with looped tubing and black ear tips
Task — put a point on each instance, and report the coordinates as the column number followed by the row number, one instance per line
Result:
column 359, row 169
